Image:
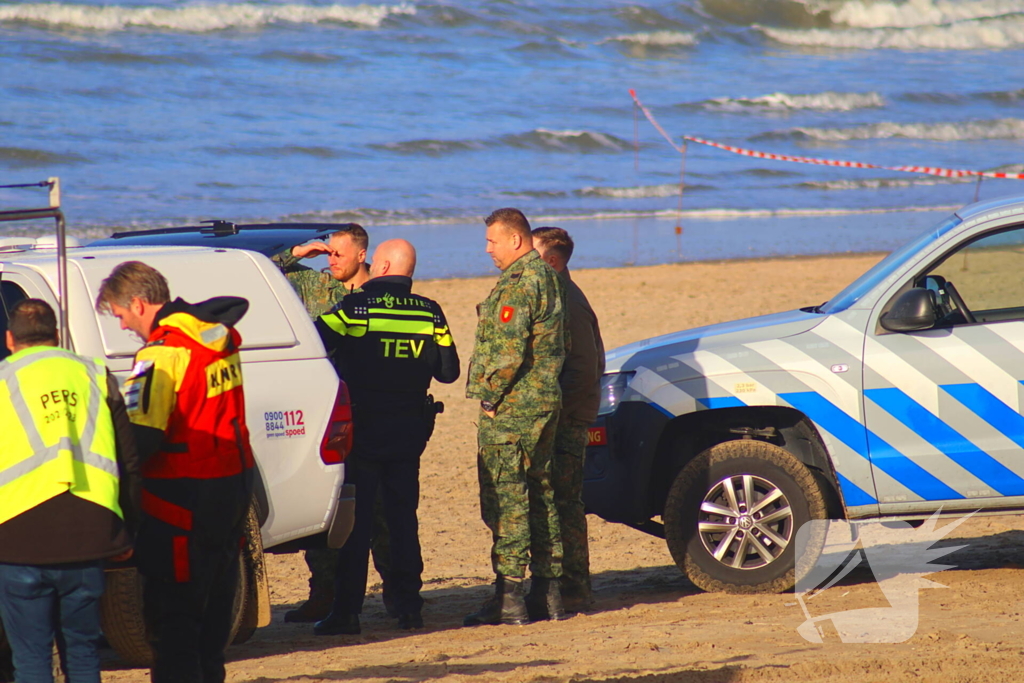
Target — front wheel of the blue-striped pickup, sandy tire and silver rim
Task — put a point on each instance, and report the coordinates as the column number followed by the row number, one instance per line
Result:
column 722, row 542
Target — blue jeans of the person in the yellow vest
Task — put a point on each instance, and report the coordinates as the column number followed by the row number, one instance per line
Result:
column 47, row 603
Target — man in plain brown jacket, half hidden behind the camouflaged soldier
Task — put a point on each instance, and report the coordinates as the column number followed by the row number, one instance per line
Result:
column 580, row 380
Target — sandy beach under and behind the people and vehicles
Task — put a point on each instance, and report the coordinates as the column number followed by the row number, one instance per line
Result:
column 649, row 624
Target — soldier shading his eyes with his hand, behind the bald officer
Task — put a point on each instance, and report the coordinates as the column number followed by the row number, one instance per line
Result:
column 347, row 252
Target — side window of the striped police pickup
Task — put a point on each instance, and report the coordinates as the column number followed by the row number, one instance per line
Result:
column 987, row 275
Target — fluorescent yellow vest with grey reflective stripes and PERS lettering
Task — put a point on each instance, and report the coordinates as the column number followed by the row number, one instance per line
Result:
column 57, row 435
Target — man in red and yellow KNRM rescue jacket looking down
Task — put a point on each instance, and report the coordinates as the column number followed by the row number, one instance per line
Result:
column 186, row 399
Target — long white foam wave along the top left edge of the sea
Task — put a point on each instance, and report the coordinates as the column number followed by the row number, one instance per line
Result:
column 195, row 19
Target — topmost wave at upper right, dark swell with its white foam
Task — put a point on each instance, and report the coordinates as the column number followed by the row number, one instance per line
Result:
column 859, row 14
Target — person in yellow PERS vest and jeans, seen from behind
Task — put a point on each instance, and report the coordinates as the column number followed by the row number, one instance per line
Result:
column 69, row 495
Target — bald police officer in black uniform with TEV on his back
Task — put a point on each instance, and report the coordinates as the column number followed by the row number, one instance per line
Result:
column 389, row 344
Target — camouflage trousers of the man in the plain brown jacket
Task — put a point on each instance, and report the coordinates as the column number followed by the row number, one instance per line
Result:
column 567, row 480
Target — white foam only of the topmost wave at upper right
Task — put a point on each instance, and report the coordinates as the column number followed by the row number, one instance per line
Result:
column 870, row 15
